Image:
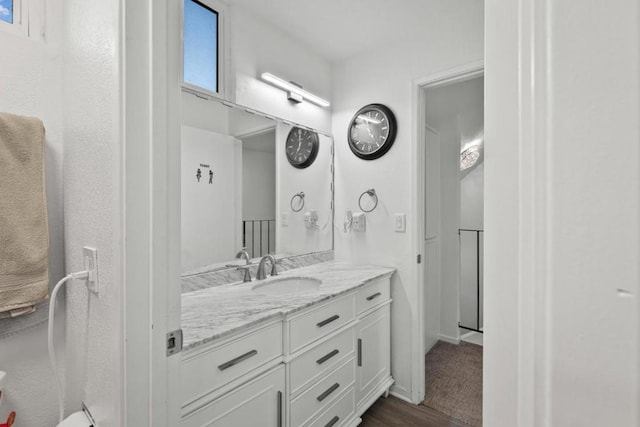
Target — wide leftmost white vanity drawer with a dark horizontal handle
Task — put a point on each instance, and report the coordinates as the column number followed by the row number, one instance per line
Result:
column 205, row 372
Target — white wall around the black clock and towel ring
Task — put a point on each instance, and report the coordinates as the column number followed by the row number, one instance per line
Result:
column 453, row 35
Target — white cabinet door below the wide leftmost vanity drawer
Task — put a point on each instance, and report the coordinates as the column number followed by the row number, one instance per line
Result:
column 257, row 403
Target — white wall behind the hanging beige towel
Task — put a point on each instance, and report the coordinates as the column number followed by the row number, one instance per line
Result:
column 30, row 84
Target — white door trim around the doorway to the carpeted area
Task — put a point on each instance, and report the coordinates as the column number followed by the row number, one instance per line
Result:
column 463, row 72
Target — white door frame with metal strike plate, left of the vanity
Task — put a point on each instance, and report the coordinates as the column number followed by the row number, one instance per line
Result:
column 150, row 39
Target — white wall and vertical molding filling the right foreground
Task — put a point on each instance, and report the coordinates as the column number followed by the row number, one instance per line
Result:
column 562, row 214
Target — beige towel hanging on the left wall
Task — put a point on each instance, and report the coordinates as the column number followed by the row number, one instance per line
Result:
column 24, row 231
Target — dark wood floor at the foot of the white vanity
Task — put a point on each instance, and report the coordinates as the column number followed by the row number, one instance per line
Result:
column 393, row 412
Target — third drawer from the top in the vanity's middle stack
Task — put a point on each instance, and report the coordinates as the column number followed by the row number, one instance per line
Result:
column 322, row 394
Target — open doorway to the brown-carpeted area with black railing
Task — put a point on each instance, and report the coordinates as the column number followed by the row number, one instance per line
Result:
column 451, row 193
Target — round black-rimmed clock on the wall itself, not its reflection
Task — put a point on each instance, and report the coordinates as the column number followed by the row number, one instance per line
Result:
column 372, row 131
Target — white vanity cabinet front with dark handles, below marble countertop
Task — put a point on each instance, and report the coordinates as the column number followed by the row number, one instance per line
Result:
column 321, row 366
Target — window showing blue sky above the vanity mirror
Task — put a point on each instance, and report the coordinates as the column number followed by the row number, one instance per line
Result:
column 201, row 46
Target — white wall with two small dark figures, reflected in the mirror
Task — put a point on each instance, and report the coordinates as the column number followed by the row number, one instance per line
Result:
column 215, row 208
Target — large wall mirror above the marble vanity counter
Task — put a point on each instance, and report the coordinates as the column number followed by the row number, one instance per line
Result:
column 240, row 189
